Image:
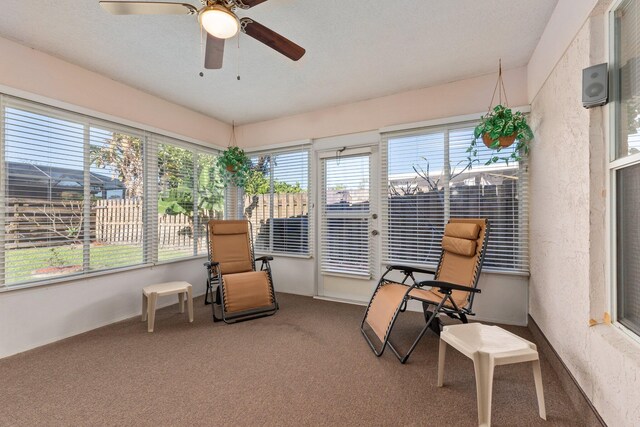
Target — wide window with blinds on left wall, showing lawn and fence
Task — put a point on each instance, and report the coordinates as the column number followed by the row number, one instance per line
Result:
column 79, row 195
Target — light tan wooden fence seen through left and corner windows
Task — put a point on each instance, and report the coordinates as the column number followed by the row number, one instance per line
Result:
column 39, row 222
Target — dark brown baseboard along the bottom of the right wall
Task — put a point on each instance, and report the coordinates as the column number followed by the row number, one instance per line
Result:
column 577, row 396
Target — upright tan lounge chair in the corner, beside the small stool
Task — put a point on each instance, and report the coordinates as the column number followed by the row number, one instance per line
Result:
column 241, row 292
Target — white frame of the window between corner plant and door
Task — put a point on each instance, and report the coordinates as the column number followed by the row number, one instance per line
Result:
column 272, row 151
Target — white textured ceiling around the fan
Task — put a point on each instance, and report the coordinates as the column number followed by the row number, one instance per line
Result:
column 356, row 49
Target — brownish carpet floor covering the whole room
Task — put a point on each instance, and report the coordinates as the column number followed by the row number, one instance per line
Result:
column 306, row 365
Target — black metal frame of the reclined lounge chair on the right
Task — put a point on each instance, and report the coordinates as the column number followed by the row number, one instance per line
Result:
column 431, row 319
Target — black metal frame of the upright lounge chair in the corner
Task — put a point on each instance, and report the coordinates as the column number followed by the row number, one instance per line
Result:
column 214, row 280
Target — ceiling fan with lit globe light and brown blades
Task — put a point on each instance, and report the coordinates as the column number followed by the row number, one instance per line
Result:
column 219, row 20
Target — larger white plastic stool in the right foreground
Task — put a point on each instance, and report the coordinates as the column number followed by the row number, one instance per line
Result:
column 489, row 346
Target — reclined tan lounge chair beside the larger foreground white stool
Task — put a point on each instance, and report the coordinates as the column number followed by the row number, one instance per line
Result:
column 450, row 292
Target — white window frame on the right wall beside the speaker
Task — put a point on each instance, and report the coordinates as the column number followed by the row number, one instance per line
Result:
column 614, row 164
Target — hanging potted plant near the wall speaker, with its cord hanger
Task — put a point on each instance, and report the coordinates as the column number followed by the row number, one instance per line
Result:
column 500, row 128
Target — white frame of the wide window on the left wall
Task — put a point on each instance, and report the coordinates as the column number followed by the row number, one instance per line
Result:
column 90, row 118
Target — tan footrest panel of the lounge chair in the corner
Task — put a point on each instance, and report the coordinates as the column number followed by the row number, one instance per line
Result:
column 246, row 291
